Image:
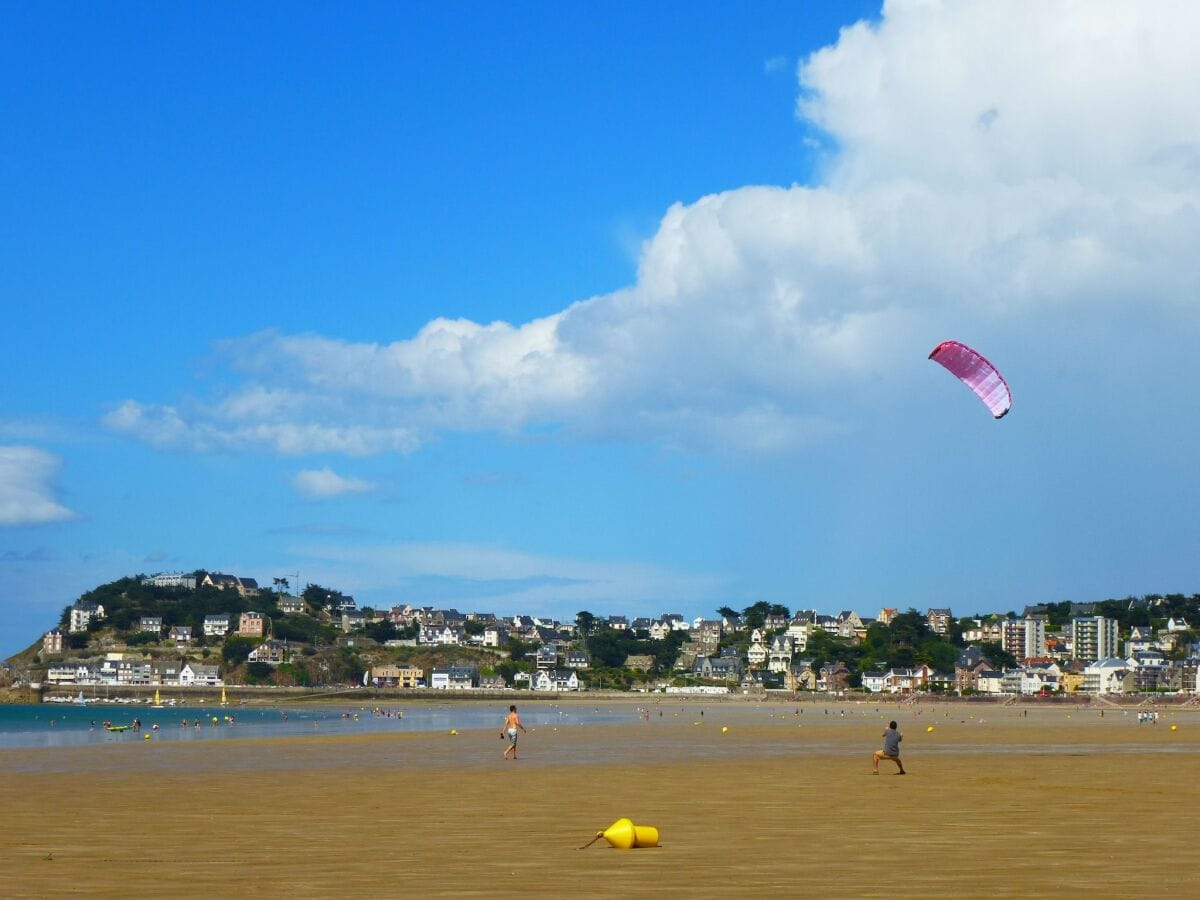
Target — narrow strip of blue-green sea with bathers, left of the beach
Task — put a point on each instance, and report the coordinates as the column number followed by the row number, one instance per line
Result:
column 79, row 725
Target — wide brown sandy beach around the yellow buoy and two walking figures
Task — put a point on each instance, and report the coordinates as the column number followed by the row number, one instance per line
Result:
column 997, row 805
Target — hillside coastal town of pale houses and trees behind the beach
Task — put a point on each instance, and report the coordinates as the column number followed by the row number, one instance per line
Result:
column 160, row 632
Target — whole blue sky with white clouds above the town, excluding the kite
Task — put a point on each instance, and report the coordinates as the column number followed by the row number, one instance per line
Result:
column 623, row 309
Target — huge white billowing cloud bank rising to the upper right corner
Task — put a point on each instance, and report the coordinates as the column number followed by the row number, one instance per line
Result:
column 992, row 166
